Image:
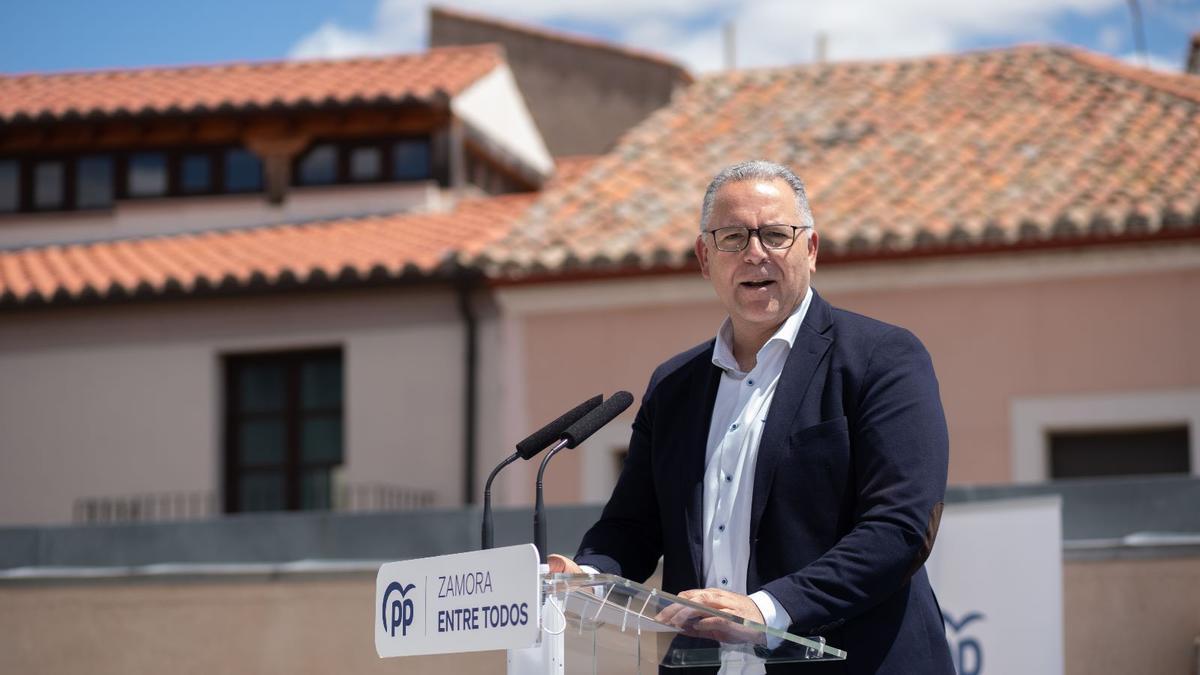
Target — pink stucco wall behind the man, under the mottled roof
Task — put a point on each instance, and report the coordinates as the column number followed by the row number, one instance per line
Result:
column 991, row 343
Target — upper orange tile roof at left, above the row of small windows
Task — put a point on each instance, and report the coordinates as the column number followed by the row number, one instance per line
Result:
column 430, row 76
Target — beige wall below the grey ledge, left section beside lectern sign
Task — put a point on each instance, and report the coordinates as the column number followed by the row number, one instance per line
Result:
column 202, row 628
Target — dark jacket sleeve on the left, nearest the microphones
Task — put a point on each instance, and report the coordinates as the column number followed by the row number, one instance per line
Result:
column 628, row 539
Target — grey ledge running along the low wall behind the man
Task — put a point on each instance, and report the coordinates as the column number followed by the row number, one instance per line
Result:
column 1102, row 521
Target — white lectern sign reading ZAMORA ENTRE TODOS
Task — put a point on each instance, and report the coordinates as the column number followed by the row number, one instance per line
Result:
column 459, row 604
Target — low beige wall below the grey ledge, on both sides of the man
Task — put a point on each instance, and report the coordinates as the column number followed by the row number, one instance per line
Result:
column 1121, row 617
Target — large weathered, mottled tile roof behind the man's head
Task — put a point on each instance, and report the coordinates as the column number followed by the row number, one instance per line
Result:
column 992, row 150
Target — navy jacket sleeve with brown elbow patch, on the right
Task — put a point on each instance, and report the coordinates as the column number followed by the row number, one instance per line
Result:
column 901, row 451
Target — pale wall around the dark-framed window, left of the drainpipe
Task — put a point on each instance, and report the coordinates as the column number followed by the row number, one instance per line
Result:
column 118, row 401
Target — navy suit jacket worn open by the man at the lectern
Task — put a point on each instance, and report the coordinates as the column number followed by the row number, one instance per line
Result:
column 848, row 491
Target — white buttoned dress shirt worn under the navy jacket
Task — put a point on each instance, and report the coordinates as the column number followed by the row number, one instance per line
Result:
column 739, row 417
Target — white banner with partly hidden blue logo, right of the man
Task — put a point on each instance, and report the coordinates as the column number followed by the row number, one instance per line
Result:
column 997, row 569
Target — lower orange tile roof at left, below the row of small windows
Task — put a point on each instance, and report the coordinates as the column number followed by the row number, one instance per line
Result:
column 339, row 252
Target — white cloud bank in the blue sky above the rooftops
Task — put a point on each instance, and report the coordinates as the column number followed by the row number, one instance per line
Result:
column 769, row 32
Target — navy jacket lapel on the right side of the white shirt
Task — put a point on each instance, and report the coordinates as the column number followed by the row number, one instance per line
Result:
column 811, row 347
